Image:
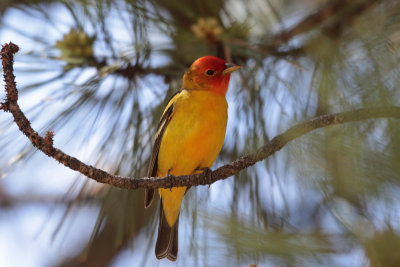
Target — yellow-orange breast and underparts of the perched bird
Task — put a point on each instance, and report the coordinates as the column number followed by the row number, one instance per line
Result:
column 192, row 141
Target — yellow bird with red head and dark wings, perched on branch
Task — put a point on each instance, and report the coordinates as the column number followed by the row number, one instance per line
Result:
column 189, row 137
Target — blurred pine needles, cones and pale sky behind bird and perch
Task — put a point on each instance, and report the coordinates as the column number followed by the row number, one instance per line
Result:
column 98, row 74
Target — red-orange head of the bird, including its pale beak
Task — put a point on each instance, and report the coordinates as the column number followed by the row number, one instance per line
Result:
column 209, row 73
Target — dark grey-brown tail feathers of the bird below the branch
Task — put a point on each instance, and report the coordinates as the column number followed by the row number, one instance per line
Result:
column 167, row 239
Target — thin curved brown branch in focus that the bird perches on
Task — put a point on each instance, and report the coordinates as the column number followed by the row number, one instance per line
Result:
column 274, row 145
